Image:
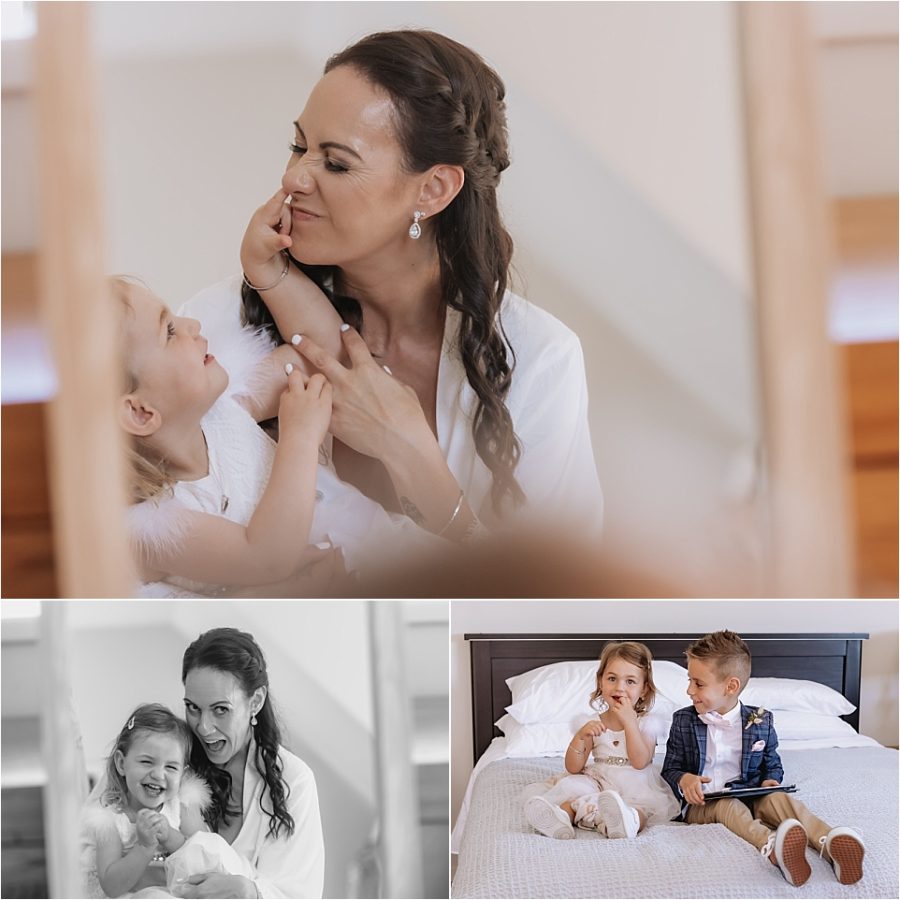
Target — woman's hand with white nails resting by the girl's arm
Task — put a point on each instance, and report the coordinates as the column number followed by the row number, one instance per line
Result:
column 372, row 412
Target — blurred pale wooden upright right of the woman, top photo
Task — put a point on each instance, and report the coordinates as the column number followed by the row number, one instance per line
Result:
column 808, row 510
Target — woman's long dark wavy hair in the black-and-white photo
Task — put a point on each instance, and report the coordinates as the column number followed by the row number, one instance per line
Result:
column 237, row 653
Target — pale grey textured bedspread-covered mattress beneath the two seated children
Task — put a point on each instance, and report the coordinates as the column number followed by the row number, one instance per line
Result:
column 500, row 855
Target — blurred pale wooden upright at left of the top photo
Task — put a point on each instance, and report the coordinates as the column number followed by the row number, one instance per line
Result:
column 85, row 452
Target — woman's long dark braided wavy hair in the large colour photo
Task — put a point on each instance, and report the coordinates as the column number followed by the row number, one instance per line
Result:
column 450, row 110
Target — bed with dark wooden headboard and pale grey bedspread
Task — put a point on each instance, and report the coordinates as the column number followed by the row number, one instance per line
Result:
column 847, row 780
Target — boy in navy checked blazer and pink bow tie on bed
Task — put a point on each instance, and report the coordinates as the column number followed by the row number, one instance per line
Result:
column 718, row 742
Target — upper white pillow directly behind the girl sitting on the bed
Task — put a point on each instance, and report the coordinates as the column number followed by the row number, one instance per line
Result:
column 560, row 691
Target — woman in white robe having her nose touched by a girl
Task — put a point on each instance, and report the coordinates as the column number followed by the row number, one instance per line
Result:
column 463, row 405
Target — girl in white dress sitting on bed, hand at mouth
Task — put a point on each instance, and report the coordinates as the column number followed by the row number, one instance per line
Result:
column 619, row 793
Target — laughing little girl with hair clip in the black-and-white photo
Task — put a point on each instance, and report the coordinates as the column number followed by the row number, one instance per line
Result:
column 146, row 806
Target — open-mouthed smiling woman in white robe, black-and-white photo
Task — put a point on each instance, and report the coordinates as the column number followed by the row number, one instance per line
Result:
column 264, row 798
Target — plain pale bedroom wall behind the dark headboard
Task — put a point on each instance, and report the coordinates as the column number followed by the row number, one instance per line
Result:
column 878, row 703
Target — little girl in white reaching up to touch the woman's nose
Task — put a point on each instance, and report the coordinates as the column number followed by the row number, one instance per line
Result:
column 215, row 502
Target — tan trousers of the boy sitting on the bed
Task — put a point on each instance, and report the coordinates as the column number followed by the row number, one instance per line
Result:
column 755, row 823
